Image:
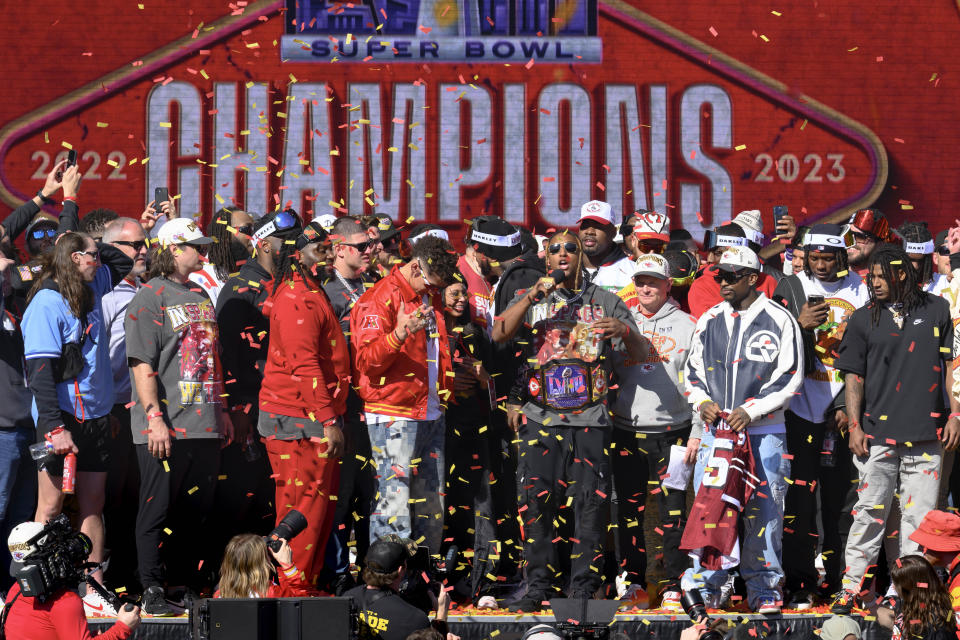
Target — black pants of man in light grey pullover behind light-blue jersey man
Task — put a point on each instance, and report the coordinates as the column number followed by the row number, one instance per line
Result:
column 123, row 487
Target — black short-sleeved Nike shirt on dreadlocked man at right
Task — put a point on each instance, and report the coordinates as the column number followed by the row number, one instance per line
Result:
column 903, row 369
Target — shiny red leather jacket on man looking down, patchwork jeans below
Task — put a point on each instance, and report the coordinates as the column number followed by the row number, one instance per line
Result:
column 390, row 377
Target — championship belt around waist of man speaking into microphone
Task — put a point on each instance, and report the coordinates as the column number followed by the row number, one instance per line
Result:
column 567, row 384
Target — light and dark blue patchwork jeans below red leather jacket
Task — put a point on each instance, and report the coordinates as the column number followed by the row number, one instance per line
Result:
column 408, row 455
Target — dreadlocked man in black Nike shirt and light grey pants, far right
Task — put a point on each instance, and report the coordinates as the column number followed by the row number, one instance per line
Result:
column 894, row 354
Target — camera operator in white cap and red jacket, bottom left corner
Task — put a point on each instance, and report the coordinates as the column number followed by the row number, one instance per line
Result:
column 59, row 615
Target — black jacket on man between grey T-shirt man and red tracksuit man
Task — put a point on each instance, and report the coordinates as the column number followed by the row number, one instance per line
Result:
column 244, row 332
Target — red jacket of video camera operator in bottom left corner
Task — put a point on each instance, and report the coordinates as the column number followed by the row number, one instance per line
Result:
column 59, row 618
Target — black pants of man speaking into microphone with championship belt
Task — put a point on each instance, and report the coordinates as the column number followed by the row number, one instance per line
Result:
column 575, row 466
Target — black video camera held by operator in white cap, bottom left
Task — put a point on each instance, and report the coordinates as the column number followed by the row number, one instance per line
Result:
column 58, row 561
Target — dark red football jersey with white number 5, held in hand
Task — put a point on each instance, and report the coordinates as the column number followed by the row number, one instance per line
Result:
column 729, row 480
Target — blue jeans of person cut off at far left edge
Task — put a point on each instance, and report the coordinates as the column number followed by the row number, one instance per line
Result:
column 18, row 487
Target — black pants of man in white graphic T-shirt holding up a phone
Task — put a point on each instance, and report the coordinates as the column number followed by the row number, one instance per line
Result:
column 811, row 481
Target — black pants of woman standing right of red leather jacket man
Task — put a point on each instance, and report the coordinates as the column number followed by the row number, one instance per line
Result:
column 469, row 519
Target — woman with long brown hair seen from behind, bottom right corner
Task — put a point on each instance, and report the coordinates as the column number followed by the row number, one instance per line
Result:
column 926, row 611
